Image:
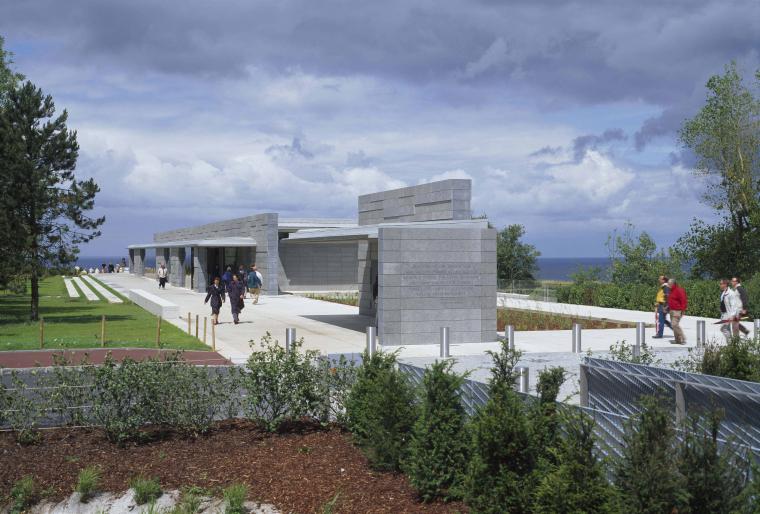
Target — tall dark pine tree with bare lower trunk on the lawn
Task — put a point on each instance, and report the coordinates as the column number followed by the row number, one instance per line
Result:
column 48, row 207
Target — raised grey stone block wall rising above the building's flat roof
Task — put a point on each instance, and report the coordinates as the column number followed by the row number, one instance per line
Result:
column 443, row 200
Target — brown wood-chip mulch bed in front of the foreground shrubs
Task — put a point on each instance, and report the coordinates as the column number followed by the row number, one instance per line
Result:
column 299, row 471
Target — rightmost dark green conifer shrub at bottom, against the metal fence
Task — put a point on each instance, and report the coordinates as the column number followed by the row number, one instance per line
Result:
column 715, row 478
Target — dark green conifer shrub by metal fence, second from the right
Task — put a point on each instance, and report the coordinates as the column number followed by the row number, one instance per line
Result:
column 647, row 475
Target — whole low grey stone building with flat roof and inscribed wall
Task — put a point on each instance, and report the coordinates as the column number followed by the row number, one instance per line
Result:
column 415, row 255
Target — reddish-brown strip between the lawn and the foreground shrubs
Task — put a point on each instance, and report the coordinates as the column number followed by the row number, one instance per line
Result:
column 34, row 358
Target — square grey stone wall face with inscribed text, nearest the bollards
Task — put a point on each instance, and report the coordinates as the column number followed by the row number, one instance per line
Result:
column 433, row 277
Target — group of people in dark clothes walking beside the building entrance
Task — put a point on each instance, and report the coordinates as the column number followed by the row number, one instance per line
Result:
column 235, row 286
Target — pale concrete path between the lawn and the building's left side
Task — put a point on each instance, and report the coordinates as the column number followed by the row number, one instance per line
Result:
column 324, row 326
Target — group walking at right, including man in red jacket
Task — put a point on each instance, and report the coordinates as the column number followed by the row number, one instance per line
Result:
column 672, row 300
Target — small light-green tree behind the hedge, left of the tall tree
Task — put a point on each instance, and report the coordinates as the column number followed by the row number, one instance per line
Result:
column 635, row 259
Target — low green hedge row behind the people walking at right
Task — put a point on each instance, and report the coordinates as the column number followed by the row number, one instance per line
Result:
column 703, row 295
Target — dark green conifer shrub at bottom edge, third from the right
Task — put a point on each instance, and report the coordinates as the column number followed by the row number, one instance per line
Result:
column 577, row 482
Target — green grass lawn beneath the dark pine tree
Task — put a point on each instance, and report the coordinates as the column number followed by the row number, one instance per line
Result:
column 75, row 322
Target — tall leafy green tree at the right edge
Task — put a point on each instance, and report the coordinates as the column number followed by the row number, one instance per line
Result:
column 725, row 137
